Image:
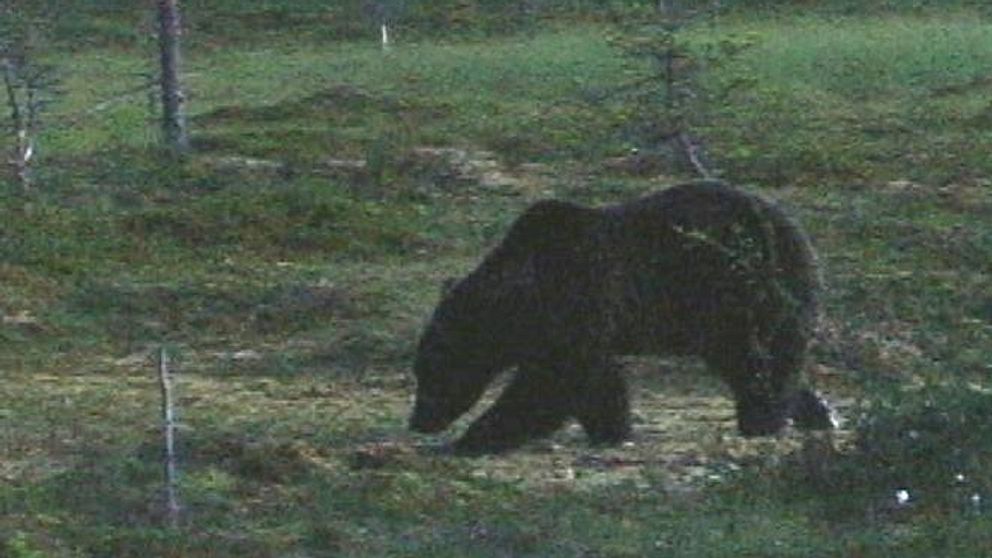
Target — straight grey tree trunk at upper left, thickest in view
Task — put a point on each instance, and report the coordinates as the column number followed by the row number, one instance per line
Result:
column 173, row 117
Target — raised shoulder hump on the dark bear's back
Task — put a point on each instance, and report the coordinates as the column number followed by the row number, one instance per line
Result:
column 552, row 223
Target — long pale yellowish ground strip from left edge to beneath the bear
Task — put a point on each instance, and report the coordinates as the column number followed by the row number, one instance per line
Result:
column 685, row 434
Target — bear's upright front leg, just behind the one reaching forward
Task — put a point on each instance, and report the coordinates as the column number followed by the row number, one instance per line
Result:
column 602, row 403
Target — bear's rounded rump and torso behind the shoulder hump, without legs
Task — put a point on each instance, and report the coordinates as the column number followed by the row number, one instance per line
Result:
column 690, row 254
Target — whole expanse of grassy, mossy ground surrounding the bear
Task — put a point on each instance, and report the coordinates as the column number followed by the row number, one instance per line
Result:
column 289, row 264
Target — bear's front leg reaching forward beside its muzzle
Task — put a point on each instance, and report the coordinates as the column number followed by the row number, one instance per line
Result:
column 534, row 405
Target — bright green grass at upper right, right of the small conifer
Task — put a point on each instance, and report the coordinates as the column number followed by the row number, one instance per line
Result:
column 894, row 92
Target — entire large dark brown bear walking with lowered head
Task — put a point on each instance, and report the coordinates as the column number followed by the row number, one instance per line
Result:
column 698, row 269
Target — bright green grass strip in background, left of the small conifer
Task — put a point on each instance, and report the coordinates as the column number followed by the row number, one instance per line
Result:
column 306, row 102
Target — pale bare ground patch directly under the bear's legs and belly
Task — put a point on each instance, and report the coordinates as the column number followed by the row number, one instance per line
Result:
column 681, row 441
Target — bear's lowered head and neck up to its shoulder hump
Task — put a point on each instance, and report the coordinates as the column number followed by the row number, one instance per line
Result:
column 493, row 319
